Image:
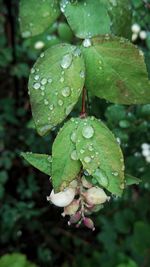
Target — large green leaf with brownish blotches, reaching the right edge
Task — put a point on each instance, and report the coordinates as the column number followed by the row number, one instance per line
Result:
column 116, row 71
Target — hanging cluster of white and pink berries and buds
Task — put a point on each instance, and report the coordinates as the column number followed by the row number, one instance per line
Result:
column 79, row 200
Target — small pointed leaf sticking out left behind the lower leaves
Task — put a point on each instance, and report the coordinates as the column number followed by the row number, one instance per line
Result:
column 41, row 162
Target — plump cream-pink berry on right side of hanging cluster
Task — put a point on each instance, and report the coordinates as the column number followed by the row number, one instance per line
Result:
column 96, row 195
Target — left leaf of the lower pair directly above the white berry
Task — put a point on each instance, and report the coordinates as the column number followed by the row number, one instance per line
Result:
column 65, row 164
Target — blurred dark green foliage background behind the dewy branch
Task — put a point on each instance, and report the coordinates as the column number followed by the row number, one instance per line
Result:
column 28, row 224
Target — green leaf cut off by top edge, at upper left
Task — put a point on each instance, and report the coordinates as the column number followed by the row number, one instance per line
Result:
column 37, row 16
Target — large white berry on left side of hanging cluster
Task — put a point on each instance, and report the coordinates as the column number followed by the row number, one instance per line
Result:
column 62, row 199
